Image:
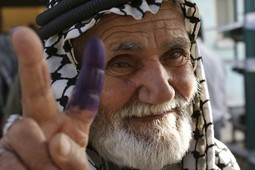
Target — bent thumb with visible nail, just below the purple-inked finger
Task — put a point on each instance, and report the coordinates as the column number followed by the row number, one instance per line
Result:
column 67, row 154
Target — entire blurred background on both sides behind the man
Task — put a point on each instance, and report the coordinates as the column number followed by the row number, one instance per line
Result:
column 228, row 28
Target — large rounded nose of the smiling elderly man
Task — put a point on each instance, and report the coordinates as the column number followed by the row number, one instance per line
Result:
column 153, row 85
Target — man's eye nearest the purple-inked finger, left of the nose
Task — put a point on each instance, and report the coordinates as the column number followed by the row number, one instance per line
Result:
column 121, row 65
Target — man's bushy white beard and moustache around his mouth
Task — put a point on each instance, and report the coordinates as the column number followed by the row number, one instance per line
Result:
column 151, row 147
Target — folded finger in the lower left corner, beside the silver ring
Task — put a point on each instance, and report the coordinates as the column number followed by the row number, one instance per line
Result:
column 26, row 139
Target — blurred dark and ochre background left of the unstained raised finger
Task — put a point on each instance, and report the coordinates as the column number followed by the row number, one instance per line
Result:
column 13, row 13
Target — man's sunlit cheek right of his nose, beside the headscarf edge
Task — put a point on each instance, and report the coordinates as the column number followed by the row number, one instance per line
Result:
column 184, row 81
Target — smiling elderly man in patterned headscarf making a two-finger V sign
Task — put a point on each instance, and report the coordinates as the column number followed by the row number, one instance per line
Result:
column 153, row 111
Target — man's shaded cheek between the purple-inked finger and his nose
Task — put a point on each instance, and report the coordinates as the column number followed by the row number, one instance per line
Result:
column 116, row 93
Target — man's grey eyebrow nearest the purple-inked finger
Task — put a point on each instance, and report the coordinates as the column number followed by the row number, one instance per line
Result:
column 126, row 46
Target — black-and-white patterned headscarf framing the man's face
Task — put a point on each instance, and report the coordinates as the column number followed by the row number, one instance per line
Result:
column 205, row 152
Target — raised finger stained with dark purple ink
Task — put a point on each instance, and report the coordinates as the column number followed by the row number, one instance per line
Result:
column 90, row 81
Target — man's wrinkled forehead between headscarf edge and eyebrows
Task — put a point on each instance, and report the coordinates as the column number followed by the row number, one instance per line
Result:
column 168, row 17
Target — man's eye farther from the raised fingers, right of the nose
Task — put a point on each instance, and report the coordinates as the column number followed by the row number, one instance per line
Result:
column 175, row 57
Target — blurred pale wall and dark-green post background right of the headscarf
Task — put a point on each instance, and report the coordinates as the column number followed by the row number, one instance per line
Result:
column 229, row 31
